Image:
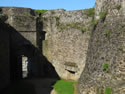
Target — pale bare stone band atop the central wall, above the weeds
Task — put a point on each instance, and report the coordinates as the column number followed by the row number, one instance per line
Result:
column 69, row 16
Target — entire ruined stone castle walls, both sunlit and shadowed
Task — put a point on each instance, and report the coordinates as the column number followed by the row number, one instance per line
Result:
column 79, row 45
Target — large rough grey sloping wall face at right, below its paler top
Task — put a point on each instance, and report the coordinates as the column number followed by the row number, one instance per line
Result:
column 106, row 48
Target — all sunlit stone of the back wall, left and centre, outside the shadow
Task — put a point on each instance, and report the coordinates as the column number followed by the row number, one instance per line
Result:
column 66, row 39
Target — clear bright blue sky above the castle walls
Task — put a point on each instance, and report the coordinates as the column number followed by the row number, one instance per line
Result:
column 50, row 4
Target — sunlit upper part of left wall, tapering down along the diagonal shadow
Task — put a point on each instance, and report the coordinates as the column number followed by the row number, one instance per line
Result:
column 22, row 20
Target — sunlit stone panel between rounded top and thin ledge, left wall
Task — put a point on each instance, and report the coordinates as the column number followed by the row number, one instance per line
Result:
column 22, row 23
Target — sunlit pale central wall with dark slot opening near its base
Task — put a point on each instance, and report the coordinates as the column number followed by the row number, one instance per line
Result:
column 66, row 41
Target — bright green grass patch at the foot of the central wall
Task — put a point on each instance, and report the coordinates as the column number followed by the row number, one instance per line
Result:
column 64, row 87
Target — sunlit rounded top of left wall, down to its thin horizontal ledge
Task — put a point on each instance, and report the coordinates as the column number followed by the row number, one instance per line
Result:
column 22, row 19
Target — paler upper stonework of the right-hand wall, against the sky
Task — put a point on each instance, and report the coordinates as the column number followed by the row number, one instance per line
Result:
column 112, row 7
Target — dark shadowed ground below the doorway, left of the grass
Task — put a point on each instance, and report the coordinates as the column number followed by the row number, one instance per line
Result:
column 32, row 86
